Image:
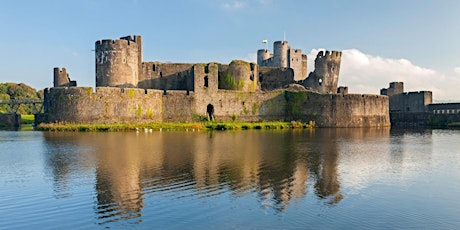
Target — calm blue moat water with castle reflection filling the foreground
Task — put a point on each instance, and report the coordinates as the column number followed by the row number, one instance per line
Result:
column 320, row 179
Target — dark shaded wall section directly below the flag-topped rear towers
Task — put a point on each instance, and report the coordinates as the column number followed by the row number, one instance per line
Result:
column 272, row 78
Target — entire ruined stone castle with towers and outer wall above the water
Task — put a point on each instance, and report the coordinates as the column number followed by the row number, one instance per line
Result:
column 129, row 89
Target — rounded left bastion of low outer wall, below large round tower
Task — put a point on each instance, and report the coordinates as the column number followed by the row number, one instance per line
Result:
column 106, row 105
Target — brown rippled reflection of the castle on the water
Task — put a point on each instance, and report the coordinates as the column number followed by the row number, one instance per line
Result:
column 278, row 167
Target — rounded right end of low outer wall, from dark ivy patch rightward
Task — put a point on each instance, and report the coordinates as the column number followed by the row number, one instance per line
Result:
column 338, row 110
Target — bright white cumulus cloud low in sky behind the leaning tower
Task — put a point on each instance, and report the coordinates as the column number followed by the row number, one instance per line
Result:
column 365, row 73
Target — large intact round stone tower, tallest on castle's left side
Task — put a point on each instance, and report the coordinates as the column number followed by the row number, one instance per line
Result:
column 118, row 62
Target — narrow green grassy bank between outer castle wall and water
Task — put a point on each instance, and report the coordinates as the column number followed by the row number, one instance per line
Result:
column 172, row 126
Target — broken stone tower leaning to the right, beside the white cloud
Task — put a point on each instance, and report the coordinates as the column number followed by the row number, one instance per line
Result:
column 325, row 77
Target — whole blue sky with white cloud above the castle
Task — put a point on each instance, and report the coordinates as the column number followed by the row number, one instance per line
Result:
column 414, row 41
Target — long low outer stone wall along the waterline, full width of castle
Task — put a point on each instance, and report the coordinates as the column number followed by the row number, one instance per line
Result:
column 111, row 105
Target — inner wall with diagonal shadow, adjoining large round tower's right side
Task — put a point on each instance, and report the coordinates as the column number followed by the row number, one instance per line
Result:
column 166, row 76
